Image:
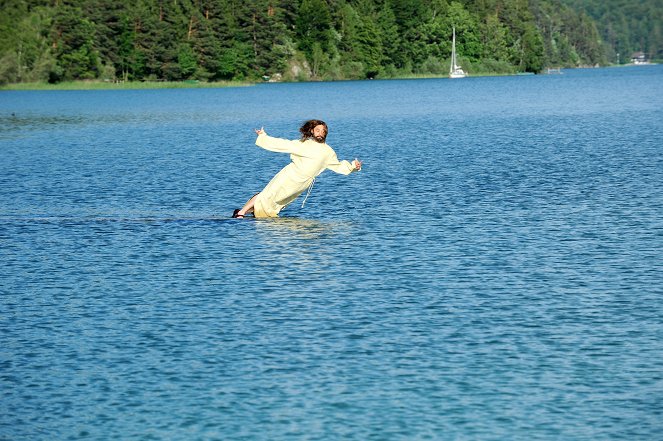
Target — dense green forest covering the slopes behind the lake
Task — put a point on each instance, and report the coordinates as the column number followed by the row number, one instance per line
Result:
column 252, row 40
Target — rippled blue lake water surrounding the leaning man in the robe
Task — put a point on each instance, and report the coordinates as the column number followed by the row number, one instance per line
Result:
column 494, row 272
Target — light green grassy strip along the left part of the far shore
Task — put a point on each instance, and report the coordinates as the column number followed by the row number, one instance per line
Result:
column 104, row 85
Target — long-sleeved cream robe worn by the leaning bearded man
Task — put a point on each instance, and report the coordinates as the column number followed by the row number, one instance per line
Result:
column 309, row 159
